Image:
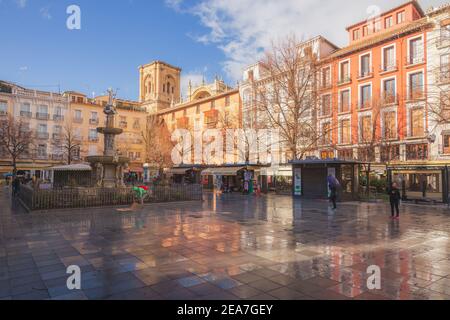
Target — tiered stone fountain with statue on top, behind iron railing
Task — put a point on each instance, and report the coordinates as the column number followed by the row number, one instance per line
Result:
column 109, row 168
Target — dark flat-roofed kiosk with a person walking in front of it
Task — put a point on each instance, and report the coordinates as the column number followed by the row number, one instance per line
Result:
column 310, row 178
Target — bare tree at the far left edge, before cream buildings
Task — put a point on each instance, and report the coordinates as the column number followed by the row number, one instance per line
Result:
column 16, row 139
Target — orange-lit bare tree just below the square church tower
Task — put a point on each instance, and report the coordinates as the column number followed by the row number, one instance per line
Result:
column 158, row 144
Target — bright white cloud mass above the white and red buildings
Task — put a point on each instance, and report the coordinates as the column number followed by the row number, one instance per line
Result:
column 242, row 29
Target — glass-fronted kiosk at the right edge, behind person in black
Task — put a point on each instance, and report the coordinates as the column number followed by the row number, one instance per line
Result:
column 419, row 181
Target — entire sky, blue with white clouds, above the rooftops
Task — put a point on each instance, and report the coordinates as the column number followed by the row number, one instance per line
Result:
column 203, row 37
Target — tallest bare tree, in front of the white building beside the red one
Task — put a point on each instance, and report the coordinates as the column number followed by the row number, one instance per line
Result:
column 286, row 98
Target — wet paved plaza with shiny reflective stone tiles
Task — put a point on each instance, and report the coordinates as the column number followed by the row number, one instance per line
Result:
column 227, row 247
